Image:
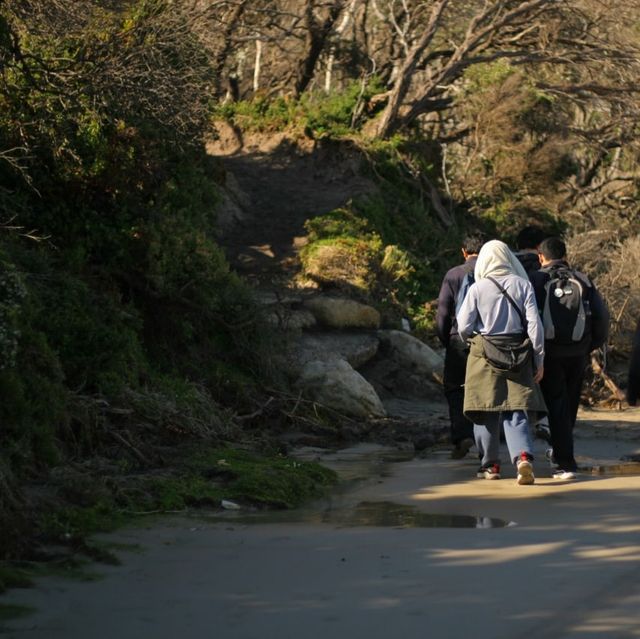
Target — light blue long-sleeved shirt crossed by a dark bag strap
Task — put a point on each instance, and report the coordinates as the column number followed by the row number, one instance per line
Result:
column 487, row 311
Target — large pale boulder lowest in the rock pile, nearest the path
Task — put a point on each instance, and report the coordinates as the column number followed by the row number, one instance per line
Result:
column 337, row 385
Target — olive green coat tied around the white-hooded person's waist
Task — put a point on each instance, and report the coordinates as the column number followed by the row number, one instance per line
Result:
column 486, row 391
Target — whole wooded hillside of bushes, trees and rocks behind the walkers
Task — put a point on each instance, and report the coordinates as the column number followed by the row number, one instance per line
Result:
column 161, row 297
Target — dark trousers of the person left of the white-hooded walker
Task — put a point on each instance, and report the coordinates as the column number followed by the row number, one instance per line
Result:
column 455, row 366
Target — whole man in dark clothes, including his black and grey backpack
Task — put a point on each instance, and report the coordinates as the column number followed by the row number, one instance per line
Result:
column 576, row 322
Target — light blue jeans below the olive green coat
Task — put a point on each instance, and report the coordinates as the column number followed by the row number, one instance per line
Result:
column 516, row 433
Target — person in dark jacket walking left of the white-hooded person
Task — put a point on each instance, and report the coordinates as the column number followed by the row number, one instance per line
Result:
column 456, row 351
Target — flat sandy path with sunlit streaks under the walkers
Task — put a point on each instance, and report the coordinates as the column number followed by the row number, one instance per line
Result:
column 568, row 569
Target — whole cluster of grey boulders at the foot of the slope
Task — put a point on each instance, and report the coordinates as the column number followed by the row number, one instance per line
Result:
column 337, row 358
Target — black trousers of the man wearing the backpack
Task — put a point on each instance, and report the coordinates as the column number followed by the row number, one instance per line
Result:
column 561, row 386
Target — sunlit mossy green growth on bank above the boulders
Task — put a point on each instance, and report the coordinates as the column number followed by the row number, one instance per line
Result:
column 406, row 249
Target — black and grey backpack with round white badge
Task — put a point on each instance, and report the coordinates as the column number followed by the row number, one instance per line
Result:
column 566, row 314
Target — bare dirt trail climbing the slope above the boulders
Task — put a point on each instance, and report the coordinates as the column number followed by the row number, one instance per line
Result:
column 282, row 183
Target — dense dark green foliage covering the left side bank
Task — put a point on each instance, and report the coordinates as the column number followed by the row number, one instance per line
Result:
column 111, row 280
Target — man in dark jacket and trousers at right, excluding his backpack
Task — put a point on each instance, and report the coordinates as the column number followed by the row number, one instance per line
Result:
column 565, row 363
